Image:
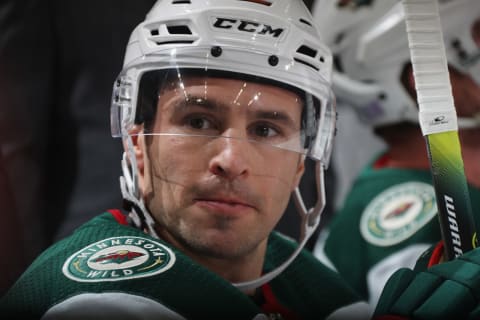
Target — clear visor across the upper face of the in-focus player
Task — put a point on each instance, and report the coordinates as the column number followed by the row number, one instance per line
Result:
column 204, row 104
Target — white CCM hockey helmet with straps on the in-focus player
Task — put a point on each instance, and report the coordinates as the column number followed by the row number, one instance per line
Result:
column 272, row 40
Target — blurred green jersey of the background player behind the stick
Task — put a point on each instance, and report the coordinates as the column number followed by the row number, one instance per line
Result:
column 388, row 219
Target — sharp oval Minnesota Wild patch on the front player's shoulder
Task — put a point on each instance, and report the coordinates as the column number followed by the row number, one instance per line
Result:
column 118, row 258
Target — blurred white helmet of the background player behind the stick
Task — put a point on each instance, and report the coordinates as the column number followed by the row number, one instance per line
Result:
column 369, row 41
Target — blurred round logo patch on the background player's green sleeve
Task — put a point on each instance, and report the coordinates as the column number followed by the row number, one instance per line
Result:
column 397, row 213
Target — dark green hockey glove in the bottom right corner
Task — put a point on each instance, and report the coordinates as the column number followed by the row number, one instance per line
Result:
column 450, row 290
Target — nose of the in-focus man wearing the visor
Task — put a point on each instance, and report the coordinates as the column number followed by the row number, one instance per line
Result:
column 231, row 159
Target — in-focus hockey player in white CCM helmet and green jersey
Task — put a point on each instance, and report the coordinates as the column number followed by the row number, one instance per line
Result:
column 218, row 104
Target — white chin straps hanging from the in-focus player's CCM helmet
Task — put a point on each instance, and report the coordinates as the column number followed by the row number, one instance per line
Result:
column 142, row 218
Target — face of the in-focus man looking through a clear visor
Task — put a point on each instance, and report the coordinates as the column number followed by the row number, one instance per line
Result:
column 216, row 185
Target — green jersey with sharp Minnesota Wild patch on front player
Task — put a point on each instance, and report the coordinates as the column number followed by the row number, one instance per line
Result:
column 108, row 269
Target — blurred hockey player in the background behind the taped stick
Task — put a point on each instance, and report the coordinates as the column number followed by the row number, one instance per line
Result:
column 389, row 216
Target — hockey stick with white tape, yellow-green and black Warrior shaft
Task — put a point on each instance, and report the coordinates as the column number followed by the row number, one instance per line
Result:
column 438, row 121
